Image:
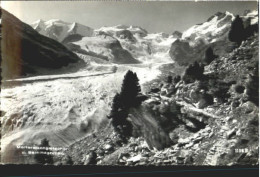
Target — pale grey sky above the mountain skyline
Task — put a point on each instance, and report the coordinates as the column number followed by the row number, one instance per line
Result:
column 154, row 16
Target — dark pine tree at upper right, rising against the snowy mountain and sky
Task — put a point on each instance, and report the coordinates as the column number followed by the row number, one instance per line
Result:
column 237, row 31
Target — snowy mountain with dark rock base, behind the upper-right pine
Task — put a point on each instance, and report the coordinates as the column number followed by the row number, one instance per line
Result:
column 212, row 33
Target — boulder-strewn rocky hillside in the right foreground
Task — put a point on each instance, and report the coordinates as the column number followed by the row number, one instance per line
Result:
column 209, row 121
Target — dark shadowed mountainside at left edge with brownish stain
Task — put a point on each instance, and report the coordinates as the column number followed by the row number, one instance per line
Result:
column 23, row 49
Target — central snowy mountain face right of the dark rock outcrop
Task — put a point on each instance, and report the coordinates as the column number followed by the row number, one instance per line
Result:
column 144, row 46
